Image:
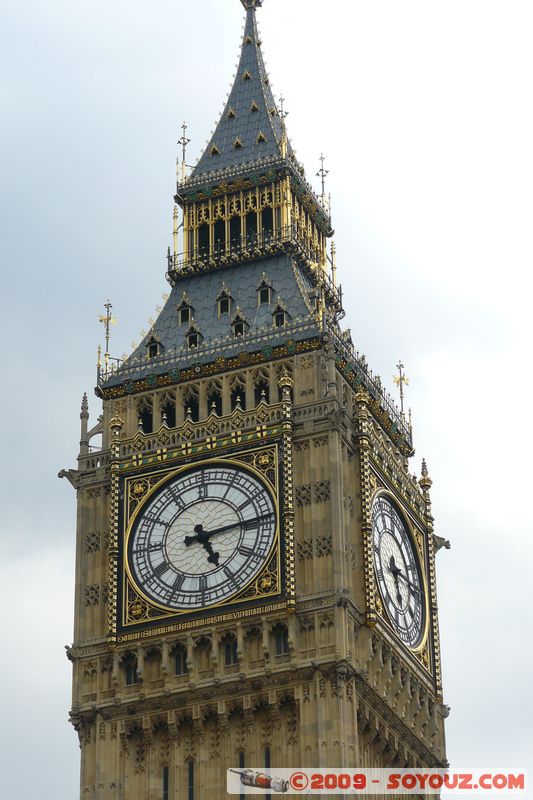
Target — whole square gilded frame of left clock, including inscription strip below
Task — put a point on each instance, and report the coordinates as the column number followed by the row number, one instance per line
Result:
column 154, row 619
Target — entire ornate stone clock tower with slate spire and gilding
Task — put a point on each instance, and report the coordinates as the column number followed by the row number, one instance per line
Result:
column 255, row 569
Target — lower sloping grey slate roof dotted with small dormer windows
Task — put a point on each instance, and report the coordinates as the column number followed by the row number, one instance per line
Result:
column 289, row 286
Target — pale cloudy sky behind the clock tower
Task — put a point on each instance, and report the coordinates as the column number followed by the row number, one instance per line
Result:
column 424, row 111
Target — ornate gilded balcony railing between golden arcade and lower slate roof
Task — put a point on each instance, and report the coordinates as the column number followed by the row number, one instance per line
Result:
column 259, row 245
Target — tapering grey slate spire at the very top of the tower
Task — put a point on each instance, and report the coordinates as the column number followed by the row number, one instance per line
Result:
column 250, row 127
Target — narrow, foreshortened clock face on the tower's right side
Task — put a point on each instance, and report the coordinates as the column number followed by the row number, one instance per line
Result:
column 398, row 573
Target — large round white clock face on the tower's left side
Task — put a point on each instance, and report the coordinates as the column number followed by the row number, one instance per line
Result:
column 202, row 538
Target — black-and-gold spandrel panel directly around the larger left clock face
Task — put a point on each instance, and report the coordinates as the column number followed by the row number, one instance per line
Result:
column 273, row 574
